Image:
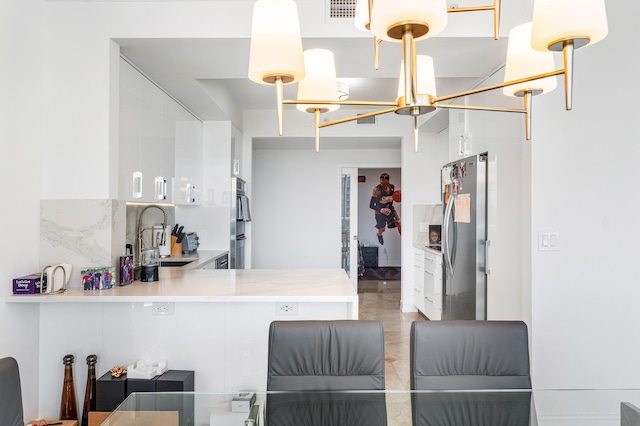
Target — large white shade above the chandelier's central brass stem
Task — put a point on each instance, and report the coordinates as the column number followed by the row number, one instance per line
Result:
column 391, row 13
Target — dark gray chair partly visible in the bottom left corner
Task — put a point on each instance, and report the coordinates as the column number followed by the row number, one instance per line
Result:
column 10, row 393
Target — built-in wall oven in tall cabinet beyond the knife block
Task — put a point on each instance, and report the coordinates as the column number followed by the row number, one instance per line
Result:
column 240, row 215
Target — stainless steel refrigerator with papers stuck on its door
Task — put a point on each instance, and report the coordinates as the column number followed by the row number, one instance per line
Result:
column 464, row 239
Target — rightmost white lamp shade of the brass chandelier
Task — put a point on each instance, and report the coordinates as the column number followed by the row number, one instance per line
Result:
column 556, row 20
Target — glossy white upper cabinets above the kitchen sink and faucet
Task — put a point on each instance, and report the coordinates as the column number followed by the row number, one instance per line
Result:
column 160, row 148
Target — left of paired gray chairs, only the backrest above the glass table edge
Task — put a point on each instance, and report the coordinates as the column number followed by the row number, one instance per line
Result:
column 325, row 355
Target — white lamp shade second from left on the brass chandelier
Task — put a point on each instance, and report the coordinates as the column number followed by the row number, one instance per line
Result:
column 320, row 82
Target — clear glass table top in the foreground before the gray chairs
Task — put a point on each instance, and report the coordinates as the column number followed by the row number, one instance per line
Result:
column 378, row 408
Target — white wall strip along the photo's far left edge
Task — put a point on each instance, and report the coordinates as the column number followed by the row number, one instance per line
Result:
column 21, row 85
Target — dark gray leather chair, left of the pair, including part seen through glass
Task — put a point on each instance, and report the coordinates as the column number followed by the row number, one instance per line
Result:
column 314, row 358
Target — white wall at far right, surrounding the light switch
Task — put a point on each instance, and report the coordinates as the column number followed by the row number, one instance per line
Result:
column 585, row 296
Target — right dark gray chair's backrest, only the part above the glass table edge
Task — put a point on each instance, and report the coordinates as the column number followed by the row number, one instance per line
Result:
column 469, row 355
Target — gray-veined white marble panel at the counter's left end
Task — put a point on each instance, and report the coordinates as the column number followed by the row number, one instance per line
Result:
column 84, row 233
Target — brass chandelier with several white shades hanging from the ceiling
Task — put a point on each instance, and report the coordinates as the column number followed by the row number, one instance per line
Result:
column 277, row 57
